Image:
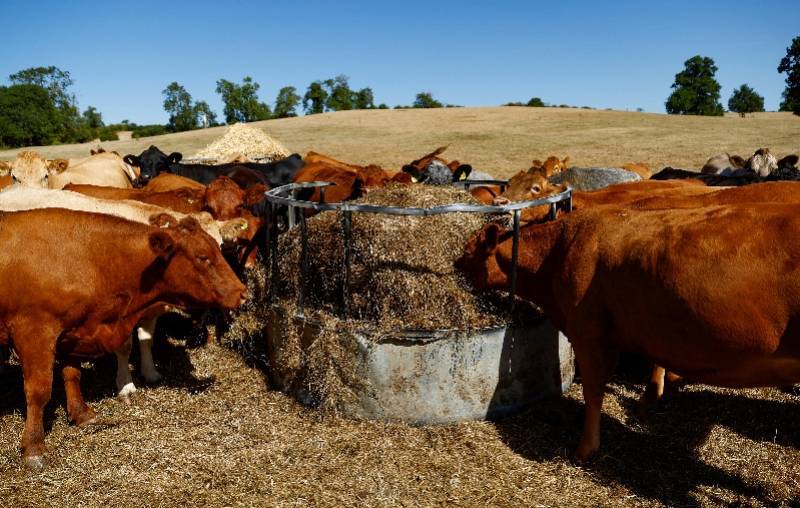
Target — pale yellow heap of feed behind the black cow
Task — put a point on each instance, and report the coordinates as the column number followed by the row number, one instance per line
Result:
column 242, row 139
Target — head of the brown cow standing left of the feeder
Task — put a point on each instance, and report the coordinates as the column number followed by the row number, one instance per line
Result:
column 193, row 269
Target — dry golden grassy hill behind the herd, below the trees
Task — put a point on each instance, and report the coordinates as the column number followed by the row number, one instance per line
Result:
column 500, row 140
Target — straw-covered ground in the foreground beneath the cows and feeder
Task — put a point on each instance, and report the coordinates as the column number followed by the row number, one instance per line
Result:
column 214, row 434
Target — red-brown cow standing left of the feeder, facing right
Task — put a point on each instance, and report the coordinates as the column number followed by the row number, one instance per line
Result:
column 80, row 308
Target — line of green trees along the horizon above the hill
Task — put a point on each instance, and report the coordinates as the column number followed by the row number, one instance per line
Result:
column 38, row 108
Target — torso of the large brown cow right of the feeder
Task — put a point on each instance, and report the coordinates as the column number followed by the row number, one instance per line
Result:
column 699, row 290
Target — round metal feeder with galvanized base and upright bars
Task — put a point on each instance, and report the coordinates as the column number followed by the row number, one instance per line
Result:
column 419, row 376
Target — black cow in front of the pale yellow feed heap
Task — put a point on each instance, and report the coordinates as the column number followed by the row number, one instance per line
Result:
column 153, row 161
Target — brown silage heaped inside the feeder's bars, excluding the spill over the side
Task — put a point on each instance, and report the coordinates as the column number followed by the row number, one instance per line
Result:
column 402, row 275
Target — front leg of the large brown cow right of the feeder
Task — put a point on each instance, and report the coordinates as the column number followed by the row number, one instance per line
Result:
column 596, row 360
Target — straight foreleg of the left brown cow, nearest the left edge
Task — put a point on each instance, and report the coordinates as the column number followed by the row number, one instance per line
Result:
column 37, row 356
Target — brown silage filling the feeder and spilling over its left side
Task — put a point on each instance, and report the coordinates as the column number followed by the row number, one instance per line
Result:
column 402, row 277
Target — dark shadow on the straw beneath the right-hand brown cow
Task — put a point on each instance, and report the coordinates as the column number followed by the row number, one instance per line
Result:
column 656, row 455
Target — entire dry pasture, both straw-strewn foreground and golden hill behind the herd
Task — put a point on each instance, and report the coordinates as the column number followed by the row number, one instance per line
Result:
column 214, row 434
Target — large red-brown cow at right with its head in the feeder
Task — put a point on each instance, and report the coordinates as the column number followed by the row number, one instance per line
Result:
column 666, row 283
